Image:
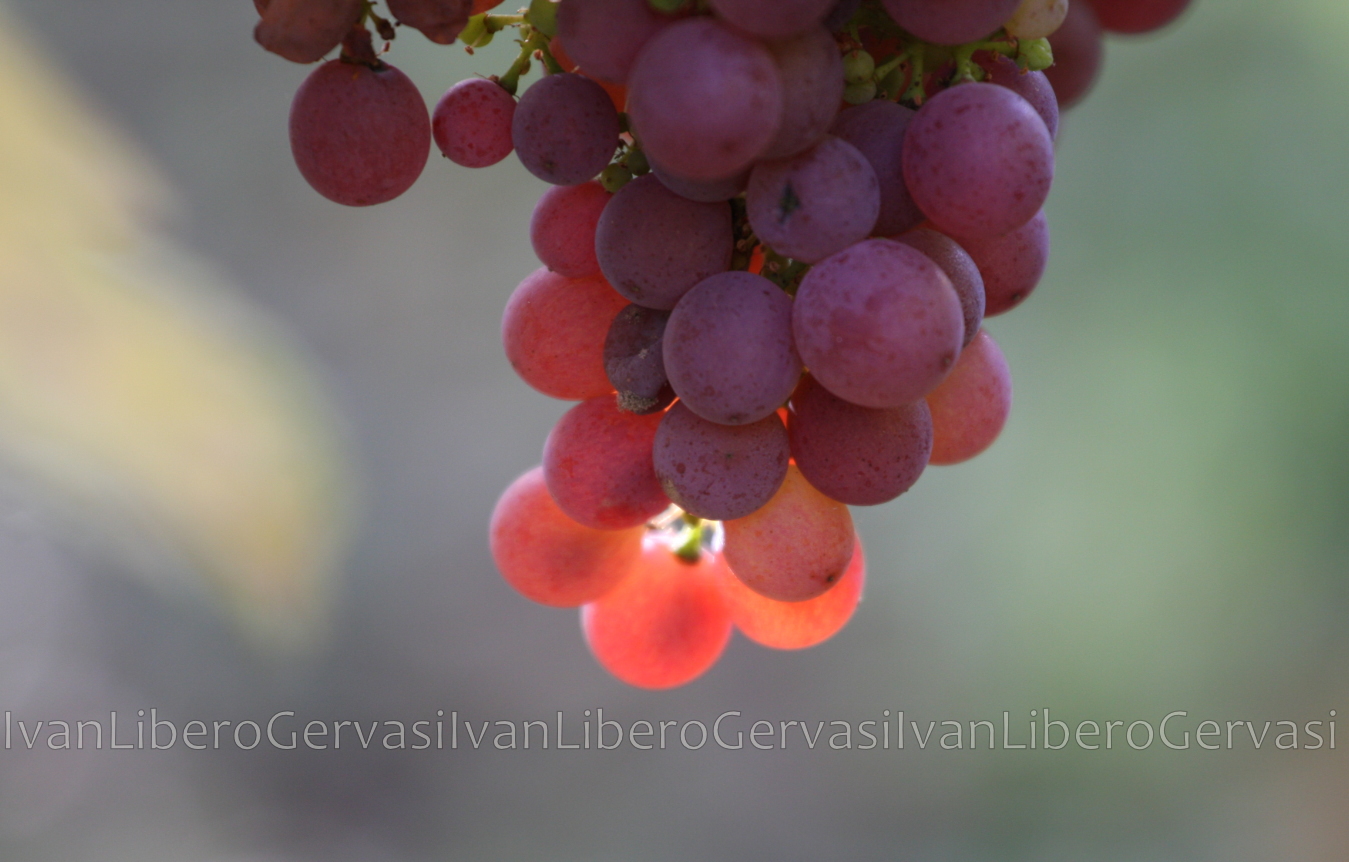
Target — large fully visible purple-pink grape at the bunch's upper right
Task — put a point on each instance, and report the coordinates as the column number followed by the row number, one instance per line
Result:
column 979, row 161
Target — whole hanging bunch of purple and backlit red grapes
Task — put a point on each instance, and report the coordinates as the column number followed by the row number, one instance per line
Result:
column 774, row 234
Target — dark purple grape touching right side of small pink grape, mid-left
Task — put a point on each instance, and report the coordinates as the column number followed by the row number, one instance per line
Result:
column 654, row 246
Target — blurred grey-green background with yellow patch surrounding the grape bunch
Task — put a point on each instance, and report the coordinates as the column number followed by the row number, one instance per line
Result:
column 250, row 442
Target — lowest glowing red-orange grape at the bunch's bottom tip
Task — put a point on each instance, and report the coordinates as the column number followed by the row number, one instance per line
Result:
column 663, row 627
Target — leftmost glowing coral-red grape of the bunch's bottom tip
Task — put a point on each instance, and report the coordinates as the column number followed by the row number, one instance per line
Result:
column 550, row 558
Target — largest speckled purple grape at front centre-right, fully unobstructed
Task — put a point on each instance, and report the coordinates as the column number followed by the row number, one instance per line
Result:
column 878, row 324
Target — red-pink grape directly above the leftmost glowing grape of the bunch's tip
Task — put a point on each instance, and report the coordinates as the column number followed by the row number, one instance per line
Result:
column 598, row 466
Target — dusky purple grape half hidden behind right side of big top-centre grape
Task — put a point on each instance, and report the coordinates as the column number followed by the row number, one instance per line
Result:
column 813, row 91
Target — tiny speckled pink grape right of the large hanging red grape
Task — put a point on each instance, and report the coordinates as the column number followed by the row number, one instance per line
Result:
column 471, row 123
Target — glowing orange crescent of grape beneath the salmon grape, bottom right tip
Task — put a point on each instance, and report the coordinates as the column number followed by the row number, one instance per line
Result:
column 797, row 625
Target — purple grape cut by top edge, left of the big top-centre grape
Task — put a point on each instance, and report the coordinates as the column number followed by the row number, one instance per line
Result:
column 605, row 37
